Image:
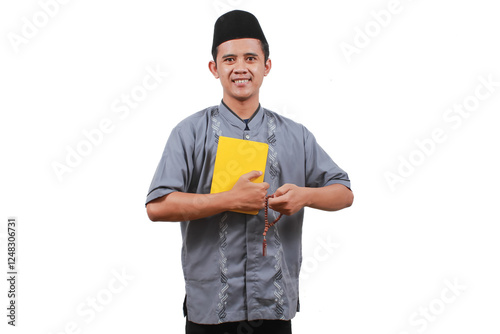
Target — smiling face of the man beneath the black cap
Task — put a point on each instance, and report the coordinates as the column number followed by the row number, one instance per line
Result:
column 241, row 68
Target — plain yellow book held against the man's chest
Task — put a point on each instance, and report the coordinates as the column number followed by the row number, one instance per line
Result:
column 234, row 158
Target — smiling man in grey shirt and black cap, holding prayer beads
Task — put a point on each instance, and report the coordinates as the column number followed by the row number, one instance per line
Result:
column 230, row 286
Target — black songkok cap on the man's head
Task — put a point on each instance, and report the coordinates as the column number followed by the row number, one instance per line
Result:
column 234, row 25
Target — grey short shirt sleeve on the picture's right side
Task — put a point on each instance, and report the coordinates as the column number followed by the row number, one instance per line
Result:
column 320, row 169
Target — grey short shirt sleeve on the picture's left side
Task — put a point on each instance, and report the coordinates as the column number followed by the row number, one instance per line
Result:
column 176, row 164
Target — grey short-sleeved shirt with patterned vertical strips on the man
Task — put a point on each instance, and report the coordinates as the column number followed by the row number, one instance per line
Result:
column 226, row 276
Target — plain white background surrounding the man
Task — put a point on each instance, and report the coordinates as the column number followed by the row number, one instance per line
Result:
column 395, row 249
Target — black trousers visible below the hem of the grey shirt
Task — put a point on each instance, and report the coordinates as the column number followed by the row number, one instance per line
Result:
column 242, row 327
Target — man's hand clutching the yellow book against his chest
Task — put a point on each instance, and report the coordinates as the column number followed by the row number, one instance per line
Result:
column 249, row 196
